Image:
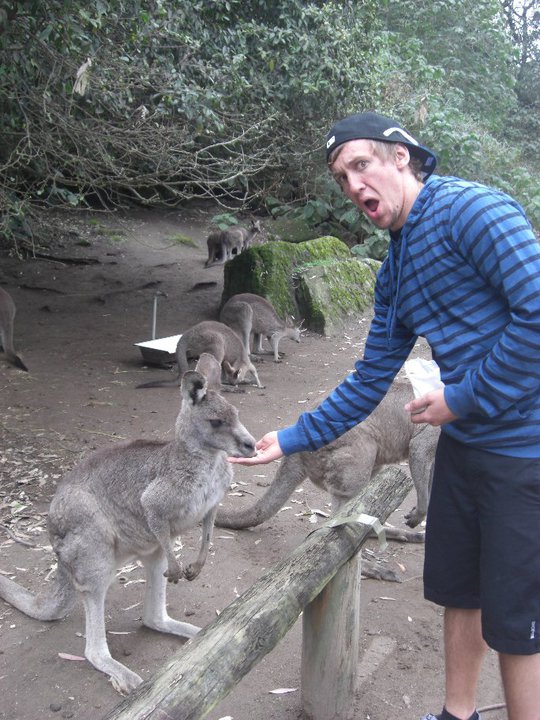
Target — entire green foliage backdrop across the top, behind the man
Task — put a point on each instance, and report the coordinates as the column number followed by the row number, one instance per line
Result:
column 109, row 102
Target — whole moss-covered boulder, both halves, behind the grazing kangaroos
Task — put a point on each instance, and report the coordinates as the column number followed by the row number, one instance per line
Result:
column 318, row 280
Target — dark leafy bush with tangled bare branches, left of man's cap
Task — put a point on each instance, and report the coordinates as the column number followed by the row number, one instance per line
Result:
column 209, row 98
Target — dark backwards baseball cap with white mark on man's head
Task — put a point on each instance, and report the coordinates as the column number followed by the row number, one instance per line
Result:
column 371, row 126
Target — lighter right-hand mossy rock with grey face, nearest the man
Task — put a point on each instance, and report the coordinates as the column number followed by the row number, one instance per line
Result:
column 331, row 294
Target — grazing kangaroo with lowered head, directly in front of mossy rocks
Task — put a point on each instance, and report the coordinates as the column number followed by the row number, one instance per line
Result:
column 249, row 314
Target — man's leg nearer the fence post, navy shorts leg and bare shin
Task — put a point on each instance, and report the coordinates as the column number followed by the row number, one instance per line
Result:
column 451, row 573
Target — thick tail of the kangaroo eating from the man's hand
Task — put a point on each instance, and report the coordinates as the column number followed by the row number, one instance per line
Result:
column 52, row 603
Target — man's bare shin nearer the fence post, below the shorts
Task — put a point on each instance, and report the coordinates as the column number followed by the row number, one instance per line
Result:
column 464, row 652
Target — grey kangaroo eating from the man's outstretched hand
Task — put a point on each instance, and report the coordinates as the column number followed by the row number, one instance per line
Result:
column 131, row 501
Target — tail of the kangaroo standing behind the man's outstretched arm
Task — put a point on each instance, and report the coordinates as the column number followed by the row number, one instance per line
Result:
column 290, row 474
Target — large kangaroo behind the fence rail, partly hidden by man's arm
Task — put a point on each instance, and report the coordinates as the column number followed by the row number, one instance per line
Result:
column 346, row 465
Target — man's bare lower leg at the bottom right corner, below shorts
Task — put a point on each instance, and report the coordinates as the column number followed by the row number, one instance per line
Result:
column 521, row 681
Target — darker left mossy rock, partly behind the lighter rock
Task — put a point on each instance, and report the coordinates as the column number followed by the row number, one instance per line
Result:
column 269, row 270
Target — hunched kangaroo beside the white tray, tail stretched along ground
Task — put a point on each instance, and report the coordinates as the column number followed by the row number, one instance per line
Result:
column 219, row 340
